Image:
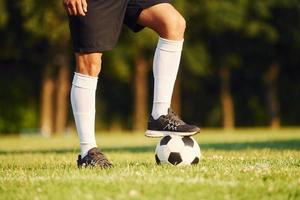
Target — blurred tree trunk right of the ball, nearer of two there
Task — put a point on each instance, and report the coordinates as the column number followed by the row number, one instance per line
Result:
column 226, row 99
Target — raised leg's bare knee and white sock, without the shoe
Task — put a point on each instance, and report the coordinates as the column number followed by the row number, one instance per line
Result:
column 170, row 26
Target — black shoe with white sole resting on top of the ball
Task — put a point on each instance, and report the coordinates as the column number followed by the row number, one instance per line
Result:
column 169, row 124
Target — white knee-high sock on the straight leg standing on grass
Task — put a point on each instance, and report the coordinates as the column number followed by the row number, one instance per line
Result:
column 83, row 94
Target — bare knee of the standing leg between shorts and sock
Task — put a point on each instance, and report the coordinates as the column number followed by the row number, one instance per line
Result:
column 88, row 64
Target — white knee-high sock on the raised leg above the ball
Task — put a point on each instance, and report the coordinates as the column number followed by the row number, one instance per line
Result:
column 165, row 67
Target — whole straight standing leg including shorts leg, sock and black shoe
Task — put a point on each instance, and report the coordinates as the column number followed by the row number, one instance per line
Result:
column 90, row 36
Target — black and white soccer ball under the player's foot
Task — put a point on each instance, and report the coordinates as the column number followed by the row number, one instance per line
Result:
column 177, row 150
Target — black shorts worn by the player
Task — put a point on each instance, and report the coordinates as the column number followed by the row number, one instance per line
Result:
column 99, row 30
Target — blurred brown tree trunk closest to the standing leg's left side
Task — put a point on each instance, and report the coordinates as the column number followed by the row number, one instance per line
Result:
column 62, row 98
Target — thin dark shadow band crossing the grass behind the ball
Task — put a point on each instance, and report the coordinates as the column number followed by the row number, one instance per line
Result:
column 276, row 145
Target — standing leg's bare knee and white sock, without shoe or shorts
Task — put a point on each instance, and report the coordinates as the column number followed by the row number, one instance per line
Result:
column 83, row 94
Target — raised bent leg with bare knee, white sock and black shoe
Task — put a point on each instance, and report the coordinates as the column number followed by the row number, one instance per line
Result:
column 170, row 26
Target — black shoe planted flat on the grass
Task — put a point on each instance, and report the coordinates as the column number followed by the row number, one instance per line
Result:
column 94, row 158
